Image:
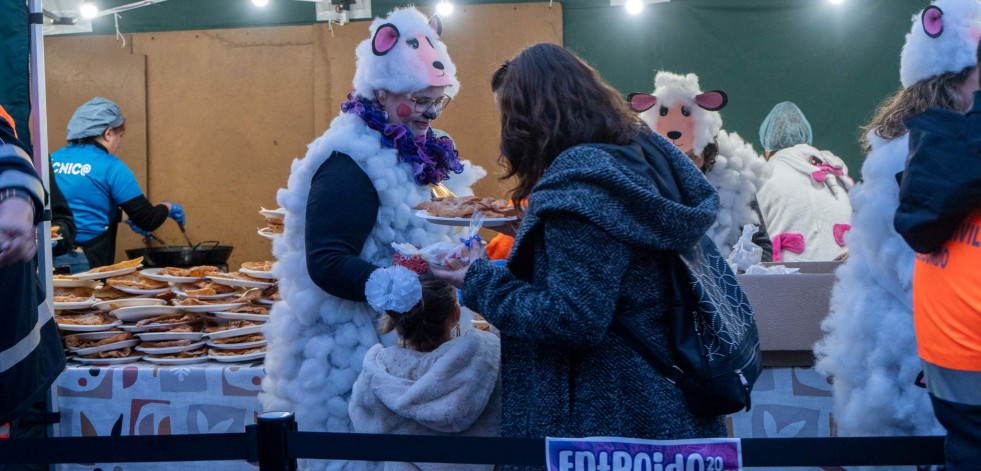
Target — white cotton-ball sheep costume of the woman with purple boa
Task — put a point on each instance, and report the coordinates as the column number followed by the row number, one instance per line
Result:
column 317, row 342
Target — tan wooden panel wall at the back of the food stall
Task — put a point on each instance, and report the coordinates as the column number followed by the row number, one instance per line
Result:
column 228, row 110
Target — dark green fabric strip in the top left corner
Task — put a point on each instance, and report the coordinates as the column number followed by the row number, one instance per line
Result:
column 15, row 85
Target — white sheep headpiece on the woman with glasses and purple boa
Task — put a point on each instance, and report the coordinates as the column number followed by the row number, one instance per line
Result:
column 404, row 55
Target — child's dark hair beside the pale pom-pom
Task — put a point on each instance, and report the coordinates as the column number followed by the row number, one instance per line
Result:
column 426, row 326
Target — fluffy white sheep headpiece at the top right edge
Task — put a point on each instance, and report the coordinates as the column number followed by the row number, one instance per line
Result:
column 944, row 38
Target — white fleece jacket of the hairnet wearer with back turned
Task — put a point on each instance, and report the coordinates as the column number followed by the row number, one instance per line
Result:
column 792, row 201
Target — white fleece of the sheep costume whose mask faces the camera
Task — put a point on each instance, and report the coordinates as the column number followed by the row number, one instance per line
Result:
column 738, row 171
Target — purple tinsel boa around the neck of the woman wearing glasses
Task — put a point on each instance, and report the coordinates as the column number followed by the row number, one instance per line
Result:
column 432, row 158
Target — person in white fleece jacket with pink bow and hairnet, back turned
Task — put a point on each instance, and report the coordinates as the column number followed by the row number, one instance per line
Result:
column 804, row 201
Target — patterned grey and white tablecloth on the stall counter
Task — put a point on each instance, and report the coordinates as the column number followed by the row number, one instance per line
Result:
column 146, row 399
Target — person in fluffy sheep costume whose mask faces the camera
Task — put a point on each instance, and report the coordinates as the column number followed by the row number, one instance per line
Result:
column 689, row 118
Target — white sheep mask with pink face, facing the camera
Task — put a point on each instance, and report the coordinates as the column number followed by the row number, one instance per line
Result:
column 679, row 111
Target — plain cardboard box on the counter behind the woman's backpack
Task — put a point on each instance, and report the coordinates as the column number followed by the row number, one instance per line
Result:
column 789, row 308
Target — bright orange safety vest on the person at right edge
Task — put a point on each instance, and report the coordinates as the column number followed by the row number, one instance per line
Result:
column 947, row 300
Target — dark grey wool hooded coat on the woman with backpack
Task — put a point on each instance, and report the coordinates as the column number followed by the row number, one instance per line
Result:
column 592, row 245
